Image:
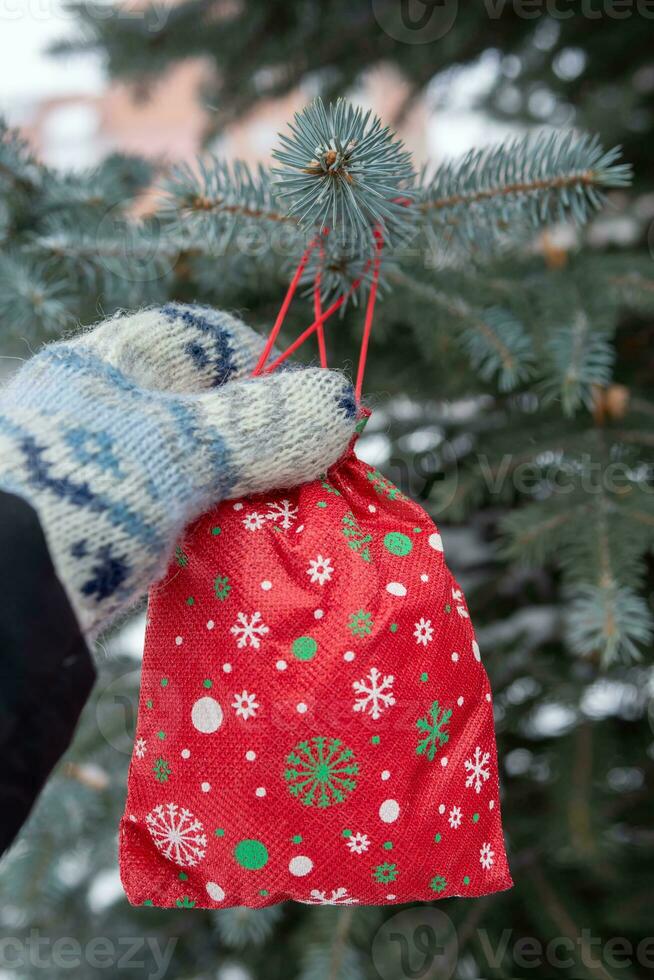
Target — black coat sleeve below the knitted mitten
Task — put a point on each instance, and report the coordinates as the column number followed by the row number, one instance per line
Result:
column 46, row 671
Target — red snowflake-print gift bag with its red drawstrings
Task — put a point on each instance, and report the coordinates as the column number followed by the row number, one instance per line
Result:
column 315, row 722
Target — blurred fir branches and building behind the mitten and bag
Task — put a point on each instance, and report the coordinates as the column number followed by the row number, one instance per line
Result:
column 109, row 98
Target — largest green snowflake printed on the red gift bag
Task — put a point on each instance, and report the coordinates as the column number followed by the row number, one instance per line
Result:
column 320, row 771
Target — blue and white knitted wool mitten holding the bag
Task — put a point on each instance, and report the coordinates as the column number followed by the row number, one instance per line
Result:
column 122, row 435
